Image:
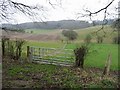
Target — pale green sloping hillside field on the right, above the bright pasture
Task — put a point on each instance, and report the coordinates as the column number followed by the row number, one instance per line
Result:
column 108, row 36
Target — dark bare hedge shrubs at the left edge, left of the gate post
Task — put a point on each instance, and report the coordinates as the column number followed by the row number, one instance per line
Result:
column 12, row 48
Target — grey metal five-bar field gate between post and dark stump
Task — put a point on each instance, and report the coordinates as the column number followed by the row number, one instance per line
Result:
column 51, row 55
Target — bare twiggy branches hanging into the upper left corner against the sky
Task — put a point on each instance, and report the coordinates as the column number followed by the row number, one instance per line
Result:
column 8, row 8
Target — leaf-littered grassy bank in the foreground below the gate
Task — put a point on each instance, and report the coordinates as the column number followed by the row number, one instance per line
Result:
column 32, row 75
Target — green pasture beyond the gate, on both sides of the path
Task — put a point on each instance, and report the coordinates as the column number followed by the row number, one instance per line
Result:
column 97, row 56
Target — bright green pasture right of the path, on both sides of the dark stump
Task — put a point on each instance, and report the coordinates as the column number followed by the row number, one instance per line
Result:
column 98, row 54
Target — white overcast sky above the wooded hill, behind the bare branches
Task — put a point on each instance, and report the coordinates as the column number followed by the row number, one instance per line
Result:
column 67, row 10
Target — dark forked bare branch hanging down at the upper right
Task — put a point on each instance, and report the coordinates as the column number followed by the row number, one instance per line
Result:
column 91, row 14
